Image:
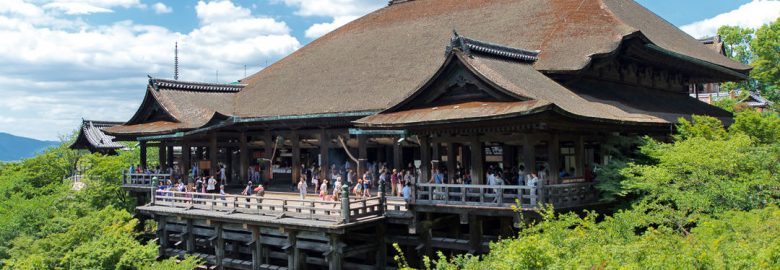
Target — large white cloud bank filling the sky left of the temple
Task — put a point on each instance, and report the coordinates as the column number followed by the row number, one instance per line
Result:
column 51, row 75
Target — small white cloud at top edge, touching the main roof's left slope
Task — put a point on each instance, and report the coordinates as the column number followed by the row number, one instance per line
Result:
column 339, row 11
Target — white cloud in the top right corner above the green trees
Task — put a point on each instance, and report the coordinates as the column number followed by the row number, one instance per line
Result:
column 751, row 15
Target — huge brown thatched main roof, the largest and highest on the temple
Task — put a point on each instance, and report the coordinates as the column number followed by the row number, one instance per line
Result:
column 383, row 56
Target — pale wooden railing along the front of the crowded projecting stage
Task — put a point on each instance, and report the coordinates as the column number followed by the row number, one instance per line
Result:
column 279, row 207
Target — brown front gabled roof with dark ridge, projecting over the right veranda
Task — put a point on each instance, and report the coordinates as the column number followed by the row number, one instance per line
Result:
column 533, row 92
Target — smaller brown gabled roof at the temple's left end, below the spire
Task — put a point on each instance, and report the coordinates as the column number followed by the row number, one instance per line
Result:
column 172, row 106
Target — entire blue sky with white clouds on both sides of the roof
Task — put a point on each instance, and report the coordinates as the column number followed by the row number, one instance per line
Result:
column 63, row 60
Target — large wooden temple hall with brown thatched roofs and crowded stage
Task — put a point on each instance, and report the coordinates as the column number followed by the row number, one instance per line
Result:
column 450, row 87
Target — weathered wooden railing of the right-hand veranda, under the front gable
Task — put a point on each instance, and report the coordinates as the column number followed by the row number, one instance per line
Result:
column 560, row 196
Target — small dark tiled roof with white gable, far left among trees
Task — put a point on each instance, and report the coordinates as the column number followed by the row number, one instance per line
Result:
column 91, row 137
